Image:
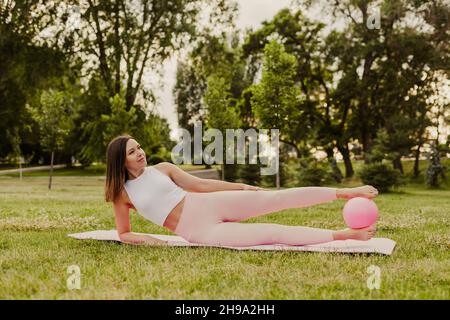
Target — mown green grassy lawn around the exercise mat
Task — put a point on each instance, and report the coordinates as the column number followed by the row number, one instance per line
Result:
column 35, row 251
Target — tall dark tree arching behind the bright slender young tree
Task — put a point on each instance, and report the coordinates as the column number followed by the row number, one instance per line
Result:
column 314, row 75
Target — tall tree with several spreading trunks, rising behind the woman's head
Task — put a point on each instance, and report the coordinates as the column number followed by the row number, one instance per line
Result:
column 119, row 42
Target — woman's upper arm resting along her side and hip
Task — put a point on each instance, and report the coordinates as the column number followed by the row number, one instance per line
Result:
column 192, row 183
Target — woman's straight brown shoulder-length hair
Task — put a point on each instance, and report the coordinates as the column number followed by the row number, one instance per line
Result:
column 116, row 172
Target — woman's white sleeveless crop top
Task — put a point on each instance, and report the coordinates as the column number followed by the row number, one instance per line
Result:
column 154, row 194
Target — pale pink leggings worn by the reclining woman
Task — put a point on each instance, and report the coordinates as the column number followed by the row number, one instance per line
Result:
column 211, row 217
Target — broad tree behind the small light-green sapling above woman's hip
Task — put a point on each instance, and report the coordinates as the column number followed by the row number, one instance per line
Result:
column 212, row 56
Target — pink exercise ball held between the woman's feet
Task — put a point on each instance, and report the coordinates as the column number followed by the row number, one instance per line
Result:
column 360, row 212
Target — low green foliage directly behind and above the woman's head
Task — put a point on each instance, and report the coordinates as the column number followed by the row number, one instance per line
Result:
column 99, row 124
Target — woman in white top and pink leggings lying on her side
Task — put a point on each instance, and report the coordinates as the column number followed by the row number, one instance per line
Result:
column 208, row 211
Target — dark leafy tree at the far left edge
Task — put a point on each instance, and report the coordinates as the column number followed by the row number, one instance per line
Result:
column 26, row 68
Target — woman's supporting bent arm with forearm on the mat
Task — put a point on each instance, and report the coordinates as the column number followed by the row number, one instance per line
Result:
column 122, row 217
